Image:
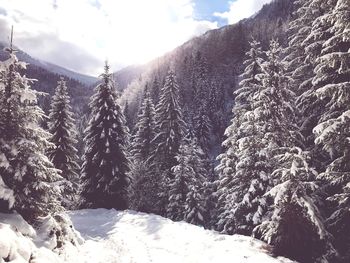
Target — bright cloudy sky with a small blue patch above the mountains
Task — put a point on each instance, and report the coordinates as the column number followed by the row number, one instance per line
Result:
column 81, row 34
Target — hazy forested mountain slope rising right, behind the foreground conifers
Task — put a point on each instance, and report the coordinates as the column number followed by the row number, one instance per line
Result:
column 224, row 50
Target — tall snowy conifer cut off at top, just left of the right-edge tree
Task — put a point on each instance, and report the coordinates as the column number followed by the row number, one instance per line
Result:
column 313, row 32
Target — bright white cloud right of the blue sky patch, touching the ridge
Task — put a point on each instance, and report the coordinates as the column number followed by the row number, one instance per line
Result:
column 241, row 9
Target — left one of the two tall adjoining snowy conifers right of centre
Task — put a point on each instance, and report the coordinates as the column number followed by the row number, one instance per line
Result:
column 231, row 188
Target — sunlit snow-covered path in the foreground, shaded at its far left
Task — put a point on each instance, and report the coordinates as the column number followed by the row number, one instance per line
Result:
column 127, row 237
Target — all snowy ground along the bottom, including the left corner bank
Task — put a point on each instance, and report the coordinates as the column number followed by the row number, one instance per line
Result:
column 127, row 237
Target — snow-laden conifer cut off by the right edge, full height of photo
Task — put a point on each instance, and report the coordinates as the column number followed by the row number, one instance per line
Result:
column 332, row 84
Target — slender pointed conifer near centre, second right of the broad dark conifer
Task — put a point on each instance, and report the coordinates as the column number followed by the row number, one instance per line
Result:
column 170, row 129
